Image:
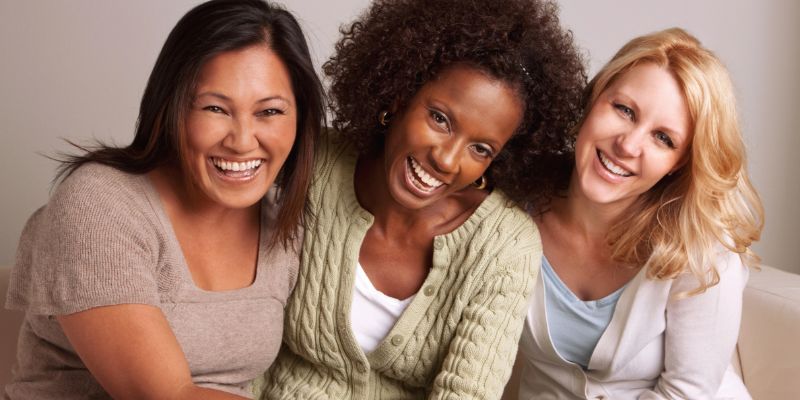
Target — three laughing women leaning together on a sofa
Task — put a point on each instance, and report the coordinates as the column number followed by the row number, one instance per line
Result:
column 416, row 268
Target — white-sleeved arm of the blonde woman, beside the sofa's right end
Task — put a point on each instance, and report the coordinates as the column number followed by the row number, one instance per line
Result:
column 701, row 334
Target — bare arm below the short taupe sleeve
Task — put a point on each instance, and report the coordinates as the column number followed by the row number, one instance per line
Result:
column 132, row 352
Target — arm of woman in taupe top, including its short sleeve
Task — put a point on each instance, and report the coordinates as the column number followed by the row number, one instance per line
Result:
column 96, row 270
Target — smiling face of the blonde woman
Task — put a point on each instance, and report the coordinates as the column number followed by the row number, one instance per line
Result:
column 637, row 131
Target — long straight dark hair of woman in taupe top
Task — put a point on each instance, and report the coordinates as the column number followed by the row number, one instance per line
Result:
column 205, row 31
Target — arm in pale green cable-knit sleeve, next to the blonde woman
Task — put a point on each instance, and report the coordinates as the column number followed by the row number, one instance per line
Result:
column 482, row 353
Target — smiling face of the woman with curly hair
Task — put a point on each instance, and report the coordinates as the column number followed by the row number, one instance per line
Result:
column 448, row 135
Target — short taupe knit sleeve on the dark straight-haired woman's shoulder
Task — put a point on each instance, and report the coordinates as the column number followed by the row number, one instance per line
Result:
column 92, row 245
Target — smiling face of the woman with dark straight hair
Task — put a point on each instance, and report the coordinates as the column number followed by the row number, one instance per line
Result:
column 241, row 126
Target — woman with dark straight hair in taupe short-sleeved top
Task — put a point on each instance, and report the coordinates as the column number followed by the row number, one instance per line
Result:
column 151, row 266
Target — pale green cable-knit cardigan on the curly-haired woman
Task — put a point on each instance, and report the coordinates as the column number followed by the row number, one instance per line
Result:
column 458, row 337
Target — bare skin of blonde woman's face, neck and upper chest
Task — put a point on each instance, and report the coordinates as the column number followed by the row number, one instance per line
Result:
column 641, row 123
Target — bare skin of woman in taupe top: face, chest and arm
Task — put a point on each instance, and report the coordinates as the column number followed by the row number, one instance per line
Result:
column 216, row 221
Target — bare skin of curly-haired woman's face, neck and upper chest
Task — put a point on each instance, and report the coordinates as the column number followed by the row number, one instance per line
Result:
column 452, row 128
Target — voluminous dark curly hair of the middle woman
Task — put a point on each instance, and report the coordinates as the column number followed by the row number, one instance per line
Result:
column 397, row 46
